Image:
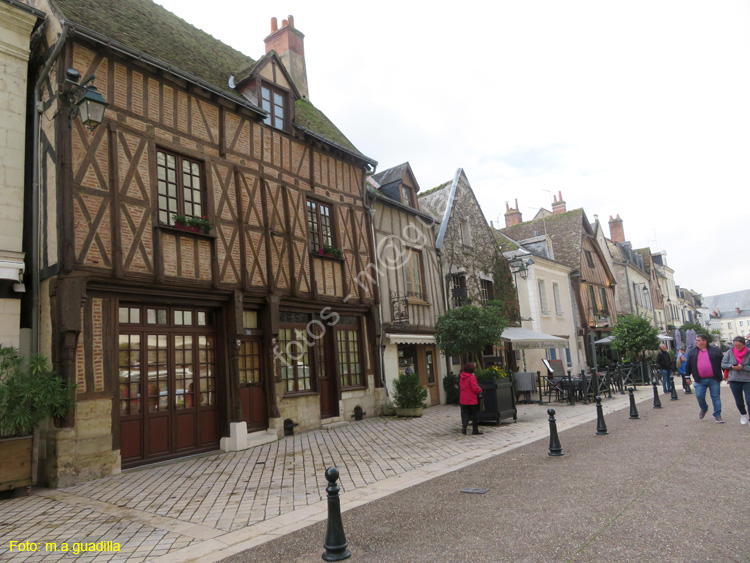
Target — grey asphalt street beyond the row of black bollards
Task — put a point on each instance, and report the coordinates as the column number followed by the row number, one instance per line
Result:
column 664, row 488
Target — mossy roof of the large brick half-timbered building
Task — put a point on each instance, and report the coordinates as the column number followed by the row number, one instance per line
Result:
column 150, row 29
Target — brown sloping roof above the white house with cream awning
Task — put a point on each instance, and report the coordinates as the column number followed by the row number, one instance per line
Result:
column 564, row 229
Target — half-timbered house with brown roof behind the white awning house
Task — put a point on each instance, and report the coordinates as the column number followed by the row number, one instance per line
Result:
column 574, row 244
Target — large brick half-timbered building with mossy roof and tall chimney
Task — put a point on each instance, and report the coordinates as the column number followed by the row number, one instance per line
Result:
column 200, row 249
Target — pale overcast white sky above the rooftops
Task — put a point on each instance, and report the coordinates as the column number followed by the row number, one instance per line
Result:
column 640, row 108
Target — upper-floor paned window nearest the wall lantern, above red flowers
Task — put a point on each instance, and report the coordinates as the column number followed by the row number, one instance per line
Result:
column 179, row 186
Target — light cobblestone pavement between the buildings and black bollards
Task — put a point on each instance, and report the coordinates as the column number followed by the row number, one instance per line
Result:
column 207, row 507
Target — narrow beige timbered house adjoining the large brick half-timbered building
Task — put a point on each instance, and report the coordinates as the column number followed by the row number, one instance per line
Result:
column 410, row 281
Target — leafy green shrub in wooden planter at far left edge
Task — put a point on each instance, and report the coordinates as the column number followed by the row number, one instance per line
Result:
column 30, row 392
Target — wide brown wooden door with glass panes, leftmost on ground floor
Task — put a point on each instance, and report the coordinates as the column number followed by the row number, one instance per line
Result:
column 167, row 384
